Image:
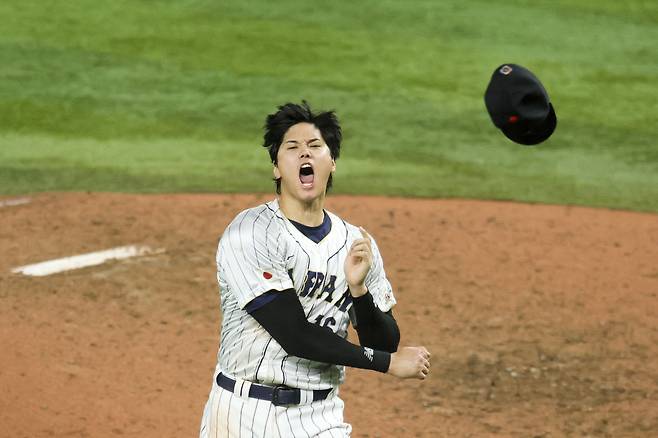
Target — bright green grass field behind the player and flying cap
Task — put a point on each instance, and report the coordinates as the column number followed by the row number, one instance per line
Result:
column 170, row 96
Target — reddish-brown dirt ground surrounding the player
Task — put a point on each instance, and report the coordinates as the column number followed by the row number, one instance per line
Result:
column 542, row 320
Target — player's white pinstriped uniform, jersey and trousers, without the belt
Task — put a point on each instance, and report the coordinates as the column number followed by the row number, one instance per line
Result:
column 259, row 251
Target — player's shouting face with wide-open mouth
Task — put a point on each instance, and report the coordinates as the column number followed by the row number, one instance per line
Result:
column 304, row 163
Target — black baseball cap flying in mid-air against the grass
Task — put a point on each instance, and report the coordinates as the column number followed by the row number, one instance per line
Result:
column 518, row 105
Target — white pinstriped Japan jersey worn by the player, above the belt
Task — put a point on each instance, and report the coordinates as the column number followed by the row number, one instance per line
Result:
column 262, row 250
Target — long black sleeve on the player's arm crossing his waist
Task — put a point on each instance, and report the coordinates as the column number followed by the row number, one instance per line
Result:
column 285, row 321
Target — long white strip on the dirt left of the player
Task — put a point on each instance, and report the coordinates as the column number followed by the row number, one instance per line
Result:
column 85, row 260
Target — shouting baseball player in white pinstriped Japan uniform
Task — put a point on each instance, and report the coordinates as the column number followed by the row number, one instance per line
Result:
column 292, row 276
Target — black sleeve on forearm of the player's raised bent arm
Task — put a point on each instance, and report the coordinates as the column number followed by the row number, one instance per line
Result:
column 376, row 329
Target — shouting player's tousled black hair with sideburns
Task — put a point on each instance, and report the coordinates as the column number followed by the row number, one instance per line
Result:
column 290, row 114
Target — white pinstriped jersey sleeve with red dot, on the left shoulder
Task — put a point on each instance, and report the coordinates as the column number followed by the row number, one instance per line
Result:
column 251, row 257
